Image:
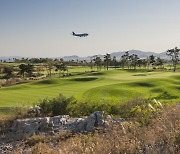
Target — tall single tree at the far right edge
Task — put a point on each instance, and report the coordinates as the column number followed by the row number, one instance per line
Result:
column 174, row 55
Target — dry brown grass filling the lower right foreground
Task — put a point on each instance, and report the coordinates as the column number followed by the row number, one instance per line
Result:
column 162, row 135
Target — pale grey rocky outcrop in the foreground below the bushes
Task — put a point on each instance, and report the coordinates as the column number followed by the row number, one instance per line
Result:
column 52, row 125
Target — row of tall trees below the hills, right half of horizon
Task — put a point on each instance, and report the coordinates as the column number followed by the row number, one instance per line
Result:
column 133, row 61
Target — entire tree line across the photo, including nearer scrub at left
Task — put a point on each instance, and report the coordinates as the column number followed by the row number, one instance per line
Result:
column 27, row 66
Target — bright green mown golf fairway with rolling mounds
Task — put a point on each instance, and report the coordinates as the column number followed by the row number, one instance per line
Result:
column 85, row 85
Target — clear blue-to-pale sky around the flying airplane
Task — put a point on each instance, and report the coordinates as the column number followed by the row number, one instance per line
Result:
column 42, row 28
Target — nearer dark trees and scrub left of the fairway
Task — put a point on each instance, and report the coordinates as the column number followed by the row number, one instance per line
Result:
column 35, row 70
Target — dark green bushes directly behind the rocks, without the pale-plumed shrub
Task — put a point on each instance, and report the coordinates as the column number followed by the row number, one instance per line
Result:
column 62, row 105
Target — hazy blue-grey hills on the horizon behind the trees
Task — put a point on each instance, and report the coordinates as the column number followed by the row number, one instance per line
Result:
column 118, row 55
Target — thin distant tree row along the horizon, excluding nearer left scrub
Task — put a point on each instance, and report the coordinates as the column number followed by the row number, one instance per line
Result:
column 126, row 60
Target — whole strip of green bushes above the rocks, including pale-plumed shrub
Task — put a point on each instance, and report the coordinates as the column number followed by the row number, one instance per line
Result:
column 137, row 108
